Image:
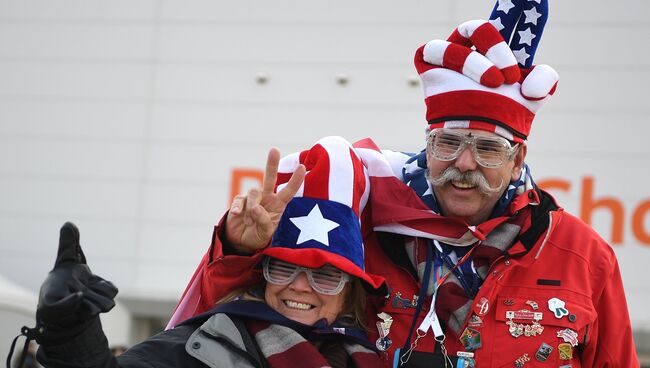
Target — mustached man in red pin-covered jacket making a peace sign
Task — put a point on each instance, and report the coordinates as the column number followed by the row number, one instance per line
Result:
column 485, row 268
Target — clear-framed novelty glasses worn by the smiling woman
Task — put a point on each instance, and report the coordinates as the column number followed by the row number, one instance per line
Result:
column 327, row 280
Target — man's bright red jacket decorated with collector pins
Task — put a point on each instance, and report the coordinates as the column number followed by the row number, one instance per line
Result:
column 569, row 261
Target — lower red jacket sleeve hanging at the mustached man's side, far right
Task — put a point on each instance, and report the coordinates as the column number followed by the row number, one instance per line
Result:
column 610, row 342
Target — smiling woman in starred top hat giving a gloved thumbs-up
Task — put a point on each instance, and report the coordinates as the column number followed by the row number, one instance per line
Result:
column 306, row 309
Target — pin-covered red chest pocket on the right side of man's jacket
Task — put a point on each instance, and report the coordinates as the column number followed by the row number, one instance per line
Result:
column 528, row 330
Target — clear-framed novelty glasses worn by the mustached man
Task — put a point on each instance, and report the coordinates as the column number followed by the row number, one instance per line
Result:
column 489, row 152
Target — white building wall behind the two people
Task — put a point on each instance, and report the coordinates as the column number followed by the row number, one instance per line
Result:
column 127, row 117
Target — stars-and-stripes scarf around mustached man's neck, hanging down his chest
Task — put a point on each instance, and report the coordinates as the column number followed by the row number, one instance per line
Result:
column 409, row 207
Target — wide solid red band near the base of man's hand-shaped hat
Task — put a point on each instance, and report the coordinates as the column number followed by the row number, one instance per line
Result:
column 464, row 104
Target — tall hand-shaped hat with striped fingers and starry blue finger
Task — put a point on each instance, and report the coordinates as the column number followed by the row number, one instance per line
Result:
column 477, row 80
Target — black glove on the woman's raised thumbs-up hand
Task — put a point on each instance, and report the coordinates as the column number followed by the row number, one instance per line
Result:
column 71, row 295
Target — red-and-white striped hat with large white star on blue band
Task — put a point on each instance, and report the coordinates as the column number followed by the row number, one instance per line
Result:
column 321, row 224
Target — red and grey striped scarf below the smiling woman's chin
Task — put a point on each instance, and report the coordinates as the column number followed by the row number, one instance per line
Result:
column 283, row 347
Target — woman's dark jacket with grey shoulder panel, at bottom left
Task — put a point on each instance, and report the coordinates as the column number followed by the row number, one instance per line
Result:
column 215, row 342
